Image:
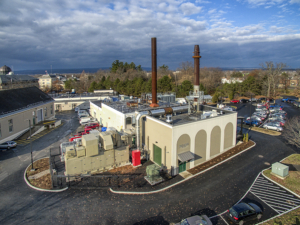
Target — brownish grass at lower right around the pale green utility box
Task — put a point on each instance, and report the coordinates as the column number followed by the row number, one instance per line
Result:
column 293, row 183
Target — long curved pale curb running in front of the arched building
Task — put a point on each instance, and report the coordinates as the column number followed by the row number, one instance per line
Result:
column 166, row 188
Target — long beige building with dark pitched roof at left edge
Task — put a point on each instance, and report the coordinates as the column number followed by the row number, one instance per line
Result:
column 18, row 106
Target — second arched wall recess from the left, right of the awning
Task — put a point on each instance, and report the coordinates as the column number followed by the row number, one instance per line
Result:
column 200, row 147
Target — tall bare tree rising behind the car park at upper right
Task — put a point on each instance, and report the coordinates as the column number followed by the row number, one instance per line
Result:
column 272, row 76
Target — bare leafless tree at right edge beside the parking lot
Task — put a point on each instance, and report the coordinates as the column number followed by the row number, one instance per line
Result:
column 292, row 131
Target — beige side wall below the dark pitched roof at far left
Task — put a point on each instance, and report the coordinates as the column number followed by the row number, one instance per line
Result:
column 20, row 121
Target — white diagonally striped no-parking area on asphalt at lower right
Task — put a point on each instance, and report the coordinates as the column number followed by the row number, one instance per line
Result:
column 274, row 196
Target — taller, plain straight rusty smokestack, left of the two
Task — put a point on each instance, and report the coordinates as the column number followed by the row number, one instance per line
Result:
column 154, row 73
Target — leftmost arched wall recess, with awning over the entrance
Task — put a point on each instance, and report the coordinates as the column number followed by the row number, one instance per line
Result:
column 184, row 154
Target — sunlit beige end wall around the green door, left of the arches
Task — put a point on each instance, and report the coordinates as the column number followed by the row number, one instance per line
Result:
column 161, row 136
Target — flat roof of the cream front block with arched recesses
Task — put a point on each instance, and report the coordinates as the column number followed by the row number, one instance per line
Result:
column 186, row 118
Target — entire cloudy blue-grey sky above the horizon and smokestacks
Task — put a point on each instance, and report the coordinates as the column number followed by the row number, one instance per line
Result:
column 35, row 34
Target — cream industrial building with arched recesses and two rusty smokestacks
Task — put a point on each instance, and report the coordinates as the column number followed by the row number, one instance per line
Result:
column 174, row 136
